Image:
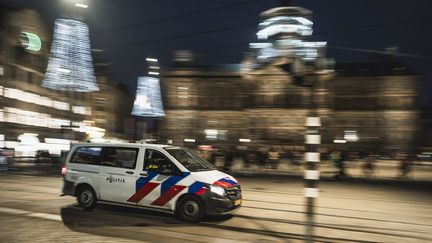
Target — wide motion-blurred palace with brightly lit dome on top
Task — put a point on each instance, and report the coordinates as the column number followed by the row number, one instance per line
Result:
column 264, row 100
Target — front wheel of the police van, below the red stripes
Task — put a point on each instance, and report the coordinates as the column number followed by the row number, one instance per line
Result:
column 190, row 209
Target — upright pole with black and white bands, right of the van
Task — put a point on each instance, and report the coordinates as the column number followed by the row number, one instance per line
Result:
column 312, row 157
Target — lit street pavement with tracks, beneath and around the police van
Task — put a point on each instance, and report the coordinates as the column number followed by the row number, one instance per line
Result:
column 31, row 209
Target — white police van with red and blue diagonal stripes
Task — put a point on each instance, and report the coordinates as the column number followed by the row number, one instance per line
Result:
column 160, row 177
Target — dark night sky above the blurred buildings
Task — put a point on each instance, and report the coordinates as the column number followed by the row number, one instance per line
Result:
column 130, row 30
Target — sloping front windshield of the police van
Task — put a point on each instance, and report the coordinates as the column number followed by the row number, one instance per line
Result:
column 190, row 160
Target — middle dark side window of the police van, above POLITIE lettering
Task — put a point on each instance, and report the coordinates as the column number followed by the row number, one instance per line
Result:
column 120, row 157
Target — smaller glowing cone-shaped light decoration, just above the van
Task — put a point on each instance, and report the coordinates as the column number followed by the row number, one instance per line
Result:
column 148, row 101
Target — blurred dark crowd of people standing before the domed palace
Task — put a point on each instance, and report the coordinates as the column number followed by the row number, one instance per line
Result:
column 340, row 160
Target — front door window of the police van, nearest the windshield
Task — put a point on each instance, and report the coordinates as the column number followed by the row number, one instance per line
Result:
column 156, row 161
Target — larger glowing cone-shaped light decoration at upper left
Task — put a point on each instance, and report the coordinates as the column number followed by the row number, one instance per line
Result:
column 70, row 67
